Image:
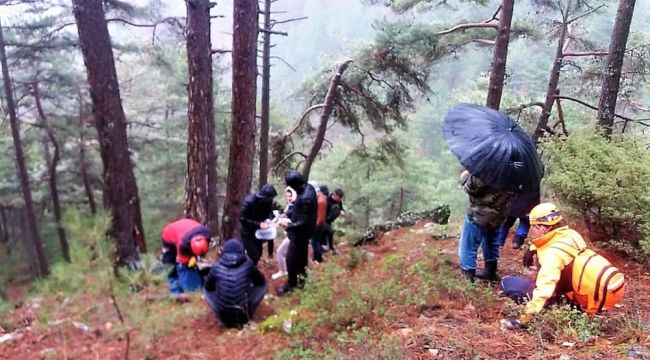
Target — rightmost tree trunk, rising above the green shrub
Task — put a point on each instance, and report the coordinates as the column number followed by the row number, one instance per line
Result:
column 611, row 82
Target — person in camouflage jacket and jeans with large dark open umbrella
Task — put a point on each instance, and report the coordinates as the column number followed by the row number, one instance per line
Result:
column 500, row 161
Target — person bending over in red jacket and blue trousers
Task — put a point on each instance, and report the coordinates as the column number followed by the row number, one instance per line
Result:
column 182, row 242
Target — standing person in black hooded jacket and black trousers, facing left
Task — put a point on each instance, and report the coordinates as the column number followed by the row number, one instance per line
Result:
column 299, row 226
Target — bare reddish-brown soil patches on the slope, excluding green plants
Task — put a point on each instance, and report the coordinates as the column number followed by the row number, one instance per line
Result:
column 90, row 327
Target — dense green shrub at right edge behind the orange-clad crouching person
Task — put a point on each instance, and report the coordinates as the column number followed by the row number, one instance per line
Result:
column 607, row 183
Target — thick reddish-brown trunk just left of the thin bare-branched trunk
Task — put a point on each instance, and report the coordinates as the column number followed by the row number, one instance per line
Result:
column 242, row 139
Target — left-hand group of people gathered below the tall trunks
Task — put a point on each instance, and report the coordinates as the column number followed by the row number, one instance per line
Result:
column 233, row 286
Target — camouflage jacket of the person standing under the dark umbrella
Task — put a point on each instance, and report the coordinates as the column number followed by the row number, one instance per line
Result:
column 488, row 207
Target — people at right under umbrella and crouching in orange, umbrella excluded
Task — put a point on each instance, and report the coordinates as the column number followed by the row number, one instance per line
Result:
column 567, row 270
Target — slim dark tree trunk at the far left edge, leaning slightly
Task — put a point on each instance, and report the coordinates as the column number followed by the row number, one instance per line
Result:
column 39, row 266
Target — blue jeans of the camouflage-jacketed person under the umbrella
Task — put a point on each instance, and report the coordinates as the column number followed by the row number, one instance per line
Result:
column 471, row 237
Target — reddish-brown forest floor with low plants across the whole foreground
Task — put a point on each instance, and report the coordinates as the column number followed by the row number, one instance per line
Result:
column 411, row 314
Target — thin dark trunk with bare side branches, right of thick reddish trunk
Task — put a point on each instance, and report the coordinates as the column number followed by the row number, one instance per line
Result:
column 266, row 79
